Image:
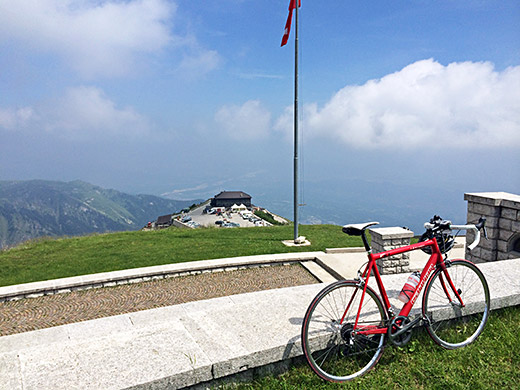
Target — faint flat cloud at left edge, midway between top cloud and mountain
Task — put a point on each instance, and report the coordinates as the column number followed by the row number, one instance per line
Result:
column 81, row 113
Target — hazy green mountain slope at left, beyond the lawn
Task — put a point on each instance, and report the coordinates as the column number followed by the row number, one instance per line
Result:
column 36, row 208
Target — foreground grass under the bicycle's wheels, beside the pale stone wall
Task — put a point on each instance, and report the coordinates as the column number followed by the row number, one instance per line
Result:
column 491, row 362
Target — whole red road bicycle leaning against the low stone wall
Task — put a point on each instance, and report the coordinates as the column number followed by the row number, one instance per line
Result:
column 347, row 325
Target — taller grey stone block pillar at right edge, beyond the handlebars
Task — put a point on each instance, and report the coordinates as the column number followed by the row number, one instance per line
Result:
column 502, row 213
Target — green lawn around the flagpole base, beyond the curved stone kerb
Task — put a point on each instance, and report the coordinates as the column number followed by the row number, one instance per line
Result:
column 63, row 257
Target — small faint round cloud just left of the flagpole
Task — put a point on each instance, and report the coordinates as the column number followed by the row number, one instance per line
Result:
column 249, row 121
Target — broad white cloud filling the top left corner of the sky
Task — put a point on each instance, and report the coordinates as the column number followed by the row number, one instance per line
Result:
column 95, row 38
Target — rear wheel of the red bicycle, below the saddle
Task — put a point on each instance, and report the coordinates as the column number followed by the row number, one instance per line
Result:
column 333, row 348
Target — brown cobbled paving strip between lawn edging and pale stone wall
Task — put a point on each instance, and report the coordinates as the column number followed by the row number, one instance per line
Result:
column 44, row 312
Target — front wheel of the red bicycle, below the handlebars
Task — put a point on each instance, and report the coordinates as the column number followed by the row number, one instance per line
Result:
column 453, row 324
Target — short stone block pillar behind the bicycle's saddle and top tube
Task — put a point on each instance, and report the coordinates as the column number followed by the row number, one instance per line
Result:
column 384, row 239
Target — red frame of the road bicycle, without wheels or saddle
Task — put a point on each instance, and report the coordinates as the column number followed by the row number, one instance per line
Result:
column 434, row 261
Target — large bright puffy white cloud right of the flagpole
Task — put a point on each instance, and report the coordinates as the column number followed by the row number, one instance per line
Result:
column 424, row 105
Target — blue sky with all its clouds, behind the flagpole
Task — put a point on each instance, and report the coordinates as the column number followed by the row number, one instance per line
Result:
column 189, row 98
